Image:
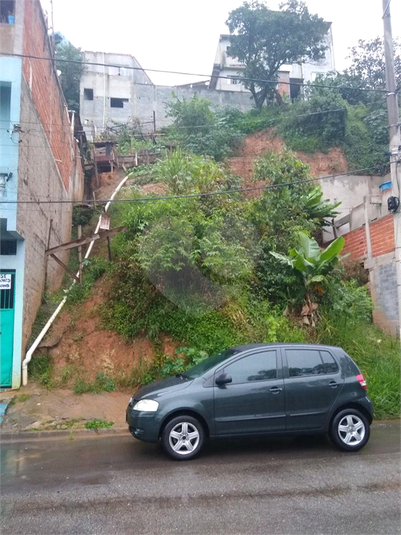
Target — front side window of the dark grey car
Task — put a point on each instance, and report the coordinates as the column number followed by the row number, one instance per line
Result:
column 256, row 367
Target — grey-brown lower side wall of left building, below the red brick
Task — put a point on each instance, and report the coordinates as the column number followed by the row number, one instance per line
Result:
column 38, row 179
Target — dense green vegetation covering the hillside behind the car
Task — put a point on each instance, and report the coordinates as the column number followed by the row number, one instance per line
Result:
column 215, row 267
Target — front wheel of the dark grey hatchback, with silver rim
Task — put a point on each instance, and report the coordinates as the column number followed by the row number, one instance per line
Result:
column 183, row 437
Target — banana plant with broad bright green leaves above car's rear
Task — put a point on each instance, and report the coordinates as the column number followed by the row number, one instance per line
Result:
column 314, row 265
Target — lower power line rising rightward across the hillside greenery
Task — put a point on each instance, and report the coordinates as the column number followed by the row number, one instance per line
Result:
column 198, row 195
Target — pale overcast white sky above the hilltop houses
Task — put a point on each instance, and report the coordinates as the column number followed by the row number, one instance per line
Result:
column 182, row 35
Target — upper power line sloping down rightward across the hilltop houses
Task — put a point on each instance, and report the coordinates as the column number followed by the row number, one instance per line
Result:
column 254, row 80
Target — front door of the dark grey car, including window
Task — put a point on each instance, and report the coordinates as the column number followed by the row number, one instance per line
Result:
column 253, row 402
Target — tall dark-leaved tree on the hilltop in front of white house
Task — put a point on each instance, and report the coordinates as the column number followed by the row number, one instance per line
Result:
column 264, row 40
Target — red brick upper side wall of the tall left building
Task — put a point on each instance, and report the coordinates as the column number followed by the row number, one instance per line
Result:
column 46, row 93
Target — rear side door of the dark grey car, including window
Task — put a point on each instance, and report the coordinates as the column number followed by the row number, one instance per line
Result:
column 313, row 382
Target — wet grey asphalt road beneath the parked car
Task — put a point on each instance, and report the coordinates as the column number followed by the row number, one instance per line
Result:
column 117, row 485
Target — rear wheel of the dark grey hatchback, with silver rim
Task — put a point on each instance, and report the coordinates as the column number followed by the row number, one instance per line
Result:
column 350, row 430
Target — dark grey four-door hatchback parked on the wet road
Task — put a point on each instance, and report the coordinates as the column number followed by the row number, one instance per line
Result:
column 258, row 389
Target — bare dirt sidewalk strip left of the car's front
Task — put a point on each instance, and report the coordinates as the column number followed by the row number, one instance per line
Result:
column 34, row 408
